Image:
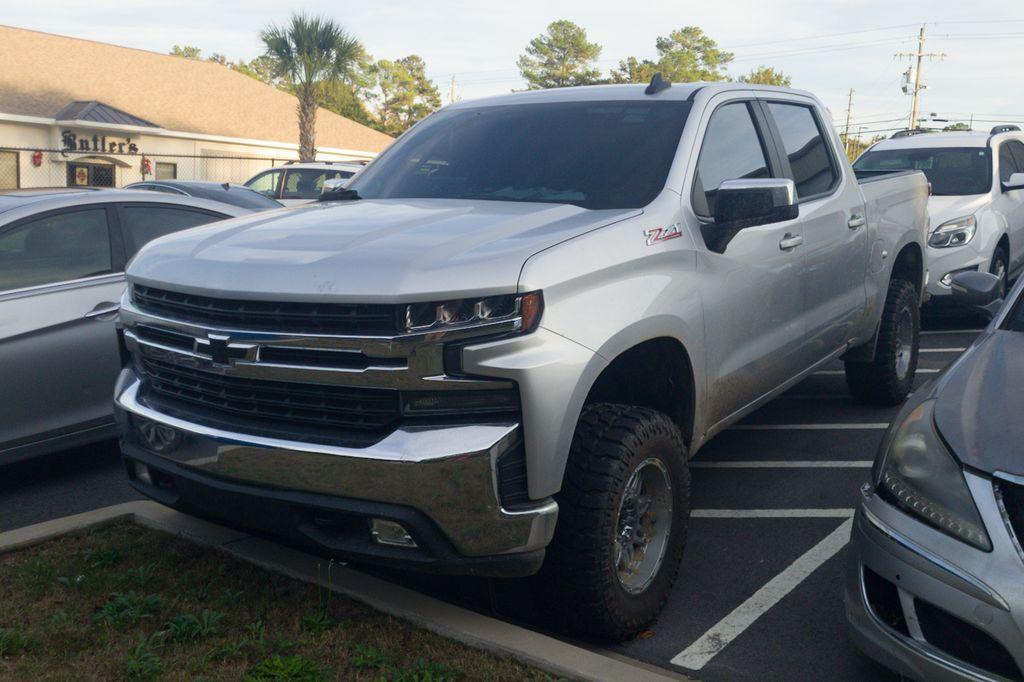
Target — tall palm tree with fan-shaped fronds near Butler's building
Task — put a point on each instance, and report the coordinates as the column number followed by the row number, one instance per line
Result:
column 311, row 53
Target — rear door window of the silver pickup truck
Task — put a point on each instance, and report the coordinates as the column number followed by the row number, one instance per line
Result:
column 812, row 165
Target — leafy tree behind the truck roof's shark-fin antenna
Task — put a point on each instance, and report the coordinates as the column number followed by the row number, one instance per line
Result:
column 685, row 56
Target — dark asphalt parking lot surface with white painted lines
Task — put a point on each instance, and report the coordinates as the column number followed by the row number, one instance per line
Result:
column 760, row 592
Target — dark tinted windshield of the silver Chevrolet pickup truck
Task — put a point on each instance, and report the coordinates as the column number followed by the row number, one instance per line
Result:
column 598, row 155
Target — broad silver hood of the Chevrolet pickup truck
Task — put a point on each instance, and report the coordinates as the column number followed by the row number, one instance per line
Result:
column 376, row 251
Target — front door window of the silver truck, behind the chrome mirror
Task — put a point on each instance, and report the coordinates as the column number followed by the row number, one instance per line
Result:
column 732, row 151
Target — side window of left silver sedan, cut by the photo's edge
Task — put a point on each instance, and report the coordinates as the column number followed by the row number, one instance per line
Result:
column 59, row 247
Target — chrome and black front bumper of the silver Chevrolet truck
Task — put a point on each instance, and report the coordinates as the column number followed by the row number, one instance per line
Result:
column 440, row 483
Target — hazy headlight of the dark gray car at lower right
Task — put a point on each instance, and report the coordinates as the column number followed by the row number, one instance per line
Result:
column 920, row 477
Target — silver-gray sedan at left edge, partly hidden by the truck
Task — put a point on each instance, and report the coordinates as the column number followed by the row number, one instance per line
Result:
column 63, row 254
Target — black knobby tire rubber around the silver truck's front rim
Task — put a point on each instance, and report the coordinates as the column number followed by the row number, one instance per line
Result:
column 579, row 581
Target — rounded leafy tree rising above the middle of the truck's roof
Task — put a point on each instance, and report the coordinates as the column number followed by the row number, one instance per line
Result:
column 561, row 58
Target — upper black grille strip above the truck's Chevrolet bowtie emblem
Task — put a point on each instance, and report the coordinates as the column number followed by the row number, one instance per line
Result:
column 281, row 317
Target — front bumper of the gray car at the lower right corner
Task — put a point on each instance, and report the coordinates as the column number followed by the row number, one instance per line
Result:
column 913, row 593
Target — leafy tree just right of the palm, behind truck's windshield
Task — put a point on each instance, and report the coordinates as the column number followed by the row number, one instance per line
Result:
column 402, row 94
